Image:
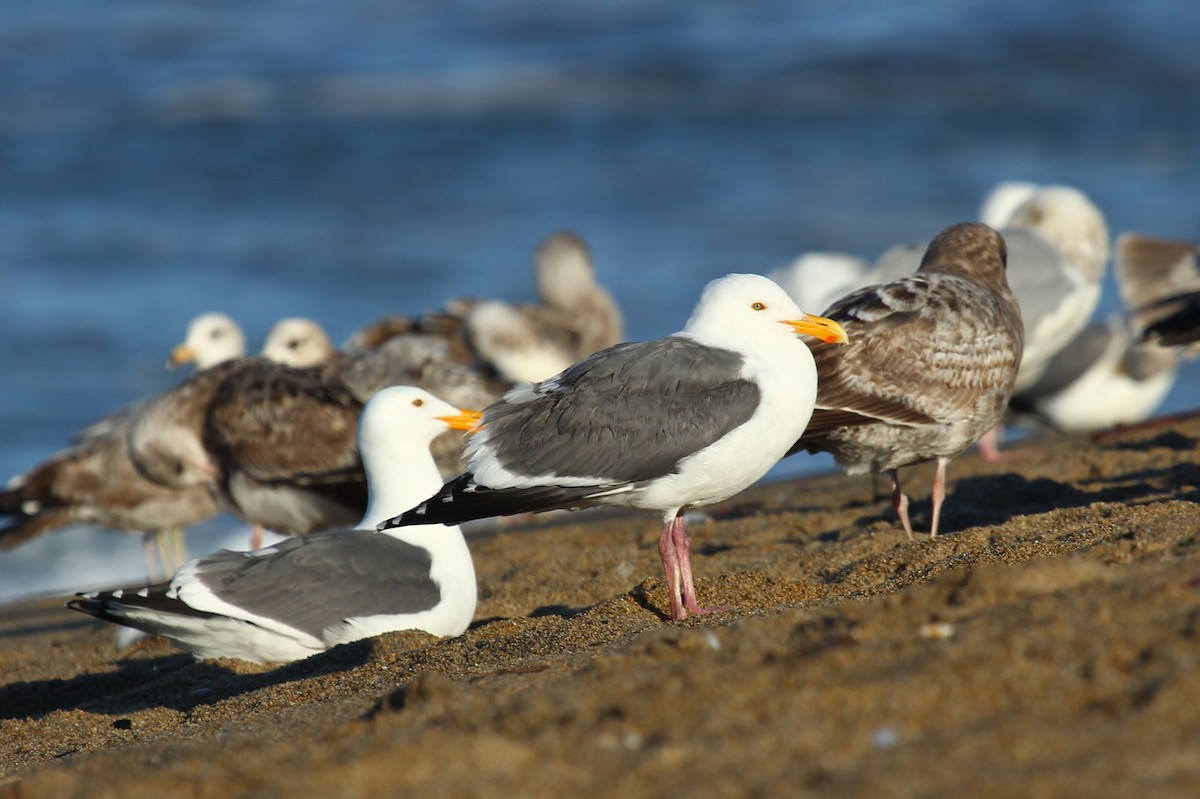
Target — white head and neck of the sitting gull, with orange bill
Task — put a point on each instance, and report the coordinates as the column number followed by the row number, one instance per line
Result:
column 395, row 431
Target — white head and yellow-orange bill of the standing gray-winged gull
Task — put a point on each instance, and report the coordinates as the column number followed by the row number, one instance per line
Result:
column 742, row 311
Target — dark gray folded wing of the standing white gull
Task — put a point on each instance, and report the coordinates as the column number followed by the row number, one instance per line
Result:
column 627, row 414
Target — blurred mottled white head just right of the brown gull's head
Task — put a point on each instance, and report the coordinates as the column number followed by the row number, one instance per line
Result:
column 1072, row 224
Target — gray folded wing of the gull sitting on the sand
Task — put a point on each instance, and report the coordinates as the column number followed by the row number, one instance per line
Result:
column 320, row 580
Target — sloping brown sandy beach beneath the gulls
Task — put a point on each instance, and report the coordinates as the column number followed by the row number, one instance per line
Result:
column 1046, row 645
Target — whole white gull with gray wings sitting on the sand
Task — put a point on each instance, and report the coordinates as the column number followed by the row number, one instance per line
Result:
column 308, row 594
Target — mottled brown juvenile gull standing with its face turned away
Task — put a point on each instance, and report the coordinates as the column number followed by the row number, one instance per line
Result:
column 929, row 368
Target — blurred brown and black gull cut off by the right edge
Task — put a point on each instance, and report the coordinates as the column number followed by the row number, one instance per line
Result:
column 1161, row 284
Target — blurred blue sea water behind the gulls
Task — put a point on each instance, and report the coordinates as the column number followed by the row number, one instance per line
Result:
column 344, row 161
